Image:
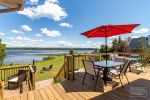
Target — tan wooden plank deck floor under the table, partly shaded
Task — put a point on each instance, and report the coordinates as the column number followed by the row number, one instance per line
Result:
column 73, row 90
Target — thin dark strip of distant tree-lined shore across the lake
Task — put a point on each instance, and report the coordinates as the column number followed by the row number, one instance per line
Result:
column 34, row 48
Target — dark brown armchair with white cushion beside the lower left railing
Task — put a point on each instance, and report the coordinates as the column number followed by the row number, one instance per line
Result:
column 17, row 79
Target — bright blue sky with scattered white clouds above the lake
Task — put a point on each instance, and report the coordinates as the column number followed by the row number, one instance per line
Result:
column 59, row 23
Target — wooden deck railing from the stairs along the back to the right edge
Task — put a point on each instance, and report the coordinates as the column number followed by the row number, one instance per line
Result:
column 74, row 62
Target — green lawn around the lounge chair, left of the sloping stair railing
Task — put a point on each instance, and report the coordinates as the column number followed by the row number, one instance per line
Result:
column 57, row 64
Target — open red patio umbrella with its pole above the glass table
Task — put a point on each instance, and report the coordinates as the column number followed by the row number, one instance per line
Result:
column 109, row 30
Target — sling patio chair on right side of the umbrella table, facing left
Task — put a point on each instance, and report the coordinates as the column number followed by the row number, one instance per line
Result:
column 122, row 72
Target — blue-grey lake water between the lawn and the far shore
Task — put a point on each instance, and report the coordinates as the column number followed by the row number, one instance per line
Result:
column 27, row 56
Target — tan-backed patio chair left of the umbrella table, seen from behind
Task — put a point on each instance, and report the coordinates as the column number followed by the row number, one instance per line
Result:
column 90, row 70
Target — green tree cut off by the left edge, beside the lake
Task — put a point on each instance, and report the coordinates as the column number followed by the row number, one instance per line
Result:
column 2, row 52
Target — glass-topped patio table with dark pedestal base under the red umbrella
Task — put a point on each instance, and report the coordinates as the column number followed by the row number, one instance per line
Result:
column 106, row 65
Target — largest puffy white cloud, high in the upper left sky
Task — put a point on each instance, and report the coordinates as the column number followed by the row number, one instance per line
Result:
column 50, row 9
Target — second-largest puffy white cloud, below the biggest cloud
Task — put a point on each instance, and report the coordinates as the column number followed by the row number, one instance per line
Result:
column 51, row 33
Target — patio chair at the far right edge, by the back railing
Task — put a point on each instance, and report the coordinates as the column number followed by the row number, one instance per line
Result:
column 141, row 64
